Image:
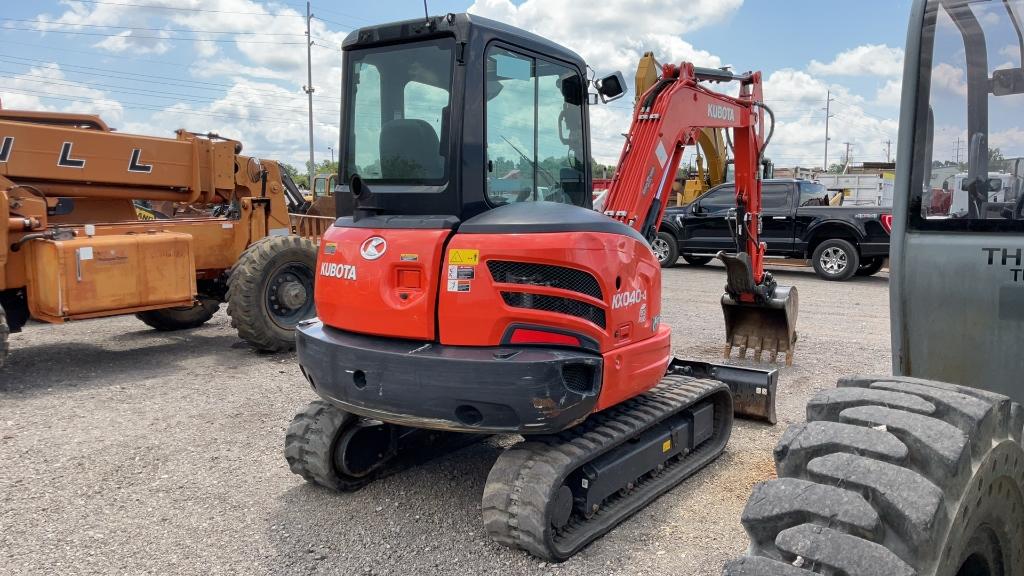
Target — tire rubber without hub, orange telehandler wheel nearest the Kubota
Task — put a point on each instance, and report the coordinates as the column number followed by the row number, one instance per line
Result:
column 246, row 304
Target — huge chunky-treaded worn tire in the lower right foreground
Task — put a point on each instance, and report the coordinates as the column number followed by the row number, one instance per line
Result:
column 893, row 476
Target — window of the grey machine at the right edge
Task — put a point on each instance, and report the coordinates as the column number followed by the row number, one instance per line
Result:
column 971, row 168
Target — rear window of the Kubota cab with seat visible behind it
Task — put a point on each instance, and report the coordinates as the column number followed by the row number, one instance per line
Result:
column 398, row 102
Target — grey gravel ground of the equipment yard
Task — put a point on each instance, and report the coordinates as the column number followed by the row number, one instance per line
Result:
column 129, row 451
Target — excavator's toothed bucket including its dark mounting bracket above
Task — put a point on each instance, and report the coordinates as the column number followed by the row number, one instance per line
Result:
column 765, row 326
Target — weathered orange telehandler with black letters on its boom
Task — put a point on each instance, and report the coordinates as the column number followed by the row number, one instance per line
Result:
column 80, row 237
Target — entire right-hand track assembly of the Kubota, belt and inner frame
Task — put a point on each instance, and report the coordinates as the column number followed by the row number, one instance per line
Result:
column 554, row 495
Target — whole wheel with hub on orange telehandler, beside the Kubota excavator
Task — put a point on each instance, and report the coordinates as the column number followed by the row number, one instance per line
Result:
column 271, row 291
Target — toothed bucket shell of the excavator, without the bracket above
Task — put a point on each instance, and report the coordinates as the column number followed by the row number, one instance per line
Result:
column 771, row 326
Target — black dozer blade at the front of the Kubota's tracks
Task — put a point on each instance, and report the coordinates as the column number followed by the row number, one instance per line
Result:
column 753, row 390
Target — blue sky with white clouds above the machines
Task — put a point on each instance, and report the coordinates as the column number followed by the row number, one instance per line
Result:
column 139, row 63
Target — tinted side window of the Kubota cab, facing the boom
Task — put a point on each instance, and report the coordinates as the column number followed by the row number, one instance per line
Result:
column 534, row 127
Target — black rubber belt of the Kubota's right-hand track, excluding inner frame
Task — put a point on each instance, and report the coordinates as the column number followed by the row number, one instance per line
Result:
column 525, row 479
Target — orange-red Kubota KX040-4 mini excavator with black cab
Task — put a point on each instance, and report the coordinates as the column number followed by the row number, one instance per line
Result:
column 475, row 290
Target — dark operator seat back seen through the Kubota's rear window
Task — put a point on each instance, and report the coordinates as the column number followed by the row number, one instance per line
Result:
column 410, row 151
